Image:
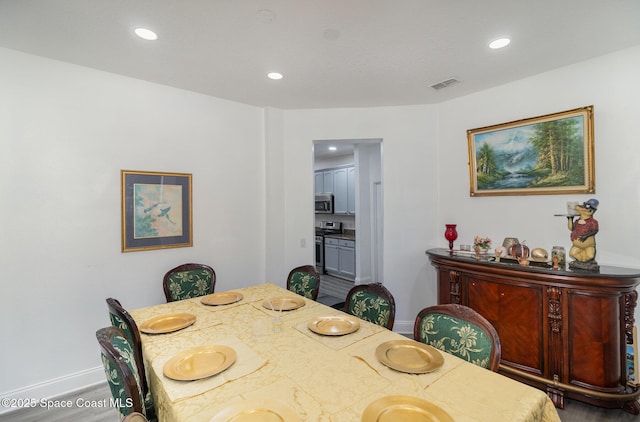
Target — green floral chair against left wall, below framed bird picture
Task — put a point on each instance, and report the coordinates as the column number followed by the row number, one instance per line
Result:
column 188, row 280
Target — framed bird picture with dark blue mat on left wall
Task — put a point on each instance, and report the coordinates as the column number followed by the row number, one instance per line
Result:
column 156, row 210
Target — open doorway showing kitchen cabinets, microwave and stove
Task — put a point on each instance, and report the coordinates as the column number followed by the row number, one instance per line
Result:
column 360, row 215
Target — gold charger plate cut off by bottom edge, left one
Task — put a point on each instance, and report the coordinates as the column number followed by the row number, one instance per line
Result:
column 258, row 410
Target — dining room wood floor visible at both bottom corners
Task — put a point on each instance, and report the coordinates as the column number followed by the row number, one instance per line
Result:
column 574, row 411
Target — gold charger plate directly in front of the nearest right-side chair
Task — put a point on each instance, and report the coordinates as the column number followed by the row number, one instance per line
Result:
column 409, row 356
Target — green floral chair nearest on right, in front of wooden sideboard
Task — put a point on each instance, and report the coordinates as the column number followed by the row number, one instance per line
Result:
column 460, row 331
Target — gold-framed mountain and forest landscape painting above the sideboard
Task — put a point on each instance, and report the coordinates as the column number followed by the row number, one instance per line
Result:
column 550, row 154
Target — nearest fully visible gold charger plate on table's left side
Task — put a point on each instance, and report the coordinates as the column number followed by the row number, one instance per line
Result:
column 199, row 362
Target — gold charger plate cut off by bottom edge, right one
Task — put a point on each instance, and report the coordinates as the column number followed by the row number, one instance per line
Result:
column 405, row 409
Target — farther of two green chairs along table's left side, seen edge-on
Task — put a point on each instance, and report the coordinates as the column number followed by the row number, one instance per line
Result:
column 121, row 318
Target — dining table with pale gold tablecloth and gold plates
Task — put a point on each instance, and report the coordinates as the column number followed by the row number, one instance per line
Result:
column 264, row 353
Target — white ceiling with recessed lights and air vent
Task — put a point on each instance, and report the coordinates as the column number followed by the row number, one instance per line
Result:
column 333, row 53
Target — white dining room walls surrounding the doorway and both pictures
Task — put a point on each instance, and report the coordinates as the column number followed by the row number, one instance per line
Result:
column 66, row 131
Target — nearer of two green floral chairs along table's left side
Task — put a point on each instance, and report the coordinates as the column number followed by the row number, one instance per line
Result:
column 118, row 359
